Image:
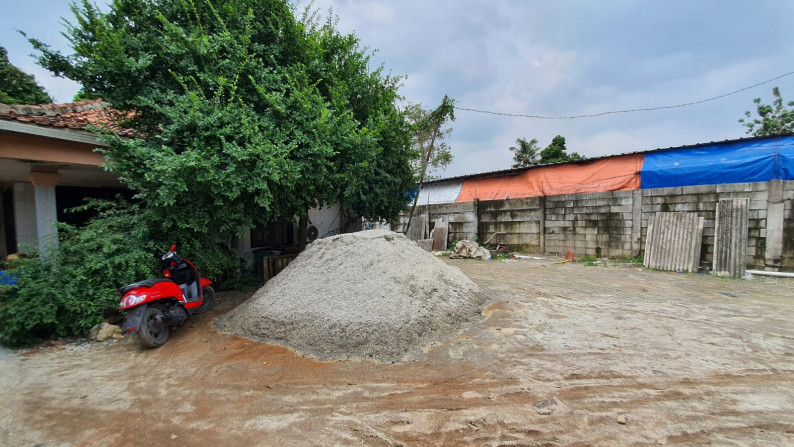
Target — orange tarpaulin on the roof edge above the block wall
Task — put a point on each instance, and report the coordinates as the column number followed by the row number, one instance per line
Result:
column 620, row 173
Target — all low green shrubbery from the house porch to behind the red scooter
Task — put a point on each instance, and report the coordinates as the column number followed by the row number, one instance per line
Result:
column 69, row 291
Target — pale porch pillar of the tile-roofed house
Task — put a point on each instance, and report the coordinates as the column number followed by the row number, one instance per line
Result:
column 46, row 209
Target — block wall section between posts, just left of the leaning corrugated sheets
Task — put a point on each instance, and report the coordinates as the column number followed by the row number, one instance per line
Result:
column 598, row 224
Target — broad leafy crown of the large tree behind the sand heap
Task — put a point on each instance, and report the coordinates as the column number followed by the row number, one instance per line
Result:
column 245, row 112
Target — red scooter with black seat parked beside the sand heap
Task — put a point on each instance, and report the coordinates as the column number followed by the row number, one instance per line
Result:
column 155, row 305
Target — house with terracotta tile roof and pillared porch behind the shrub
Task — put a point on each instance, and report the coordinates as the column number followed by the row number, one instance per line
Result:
column 49, row 163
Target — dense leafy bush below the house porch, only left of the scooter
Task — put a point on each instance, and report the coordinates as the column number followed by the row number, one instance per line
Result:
column 68, row 292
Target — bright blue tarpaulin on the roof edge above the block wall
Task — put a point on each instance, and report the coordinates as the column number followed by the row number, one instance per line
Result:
column 742, row 161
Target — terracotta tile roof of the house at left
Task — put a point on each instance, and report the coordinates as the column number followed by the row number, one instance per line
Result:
column 73, row 115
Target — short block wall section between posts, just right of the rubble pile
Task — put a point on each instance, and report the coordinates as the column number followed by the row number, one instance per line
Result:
column 519, row 219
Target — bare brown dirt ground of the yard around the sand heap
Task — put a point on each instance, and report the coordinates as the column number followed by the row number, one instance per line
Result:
column 566, row 355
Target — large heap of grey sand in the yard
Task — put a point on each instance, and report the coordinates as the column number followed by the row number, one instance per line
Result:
column 373, row 294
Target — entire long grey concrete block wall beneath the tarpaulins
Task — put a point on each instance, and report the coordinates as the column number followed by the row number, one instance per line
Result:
column 614, row 224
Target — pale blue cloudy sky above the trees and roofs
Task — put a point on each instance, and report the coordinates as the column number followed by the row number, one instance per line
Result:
column 548, row 58
